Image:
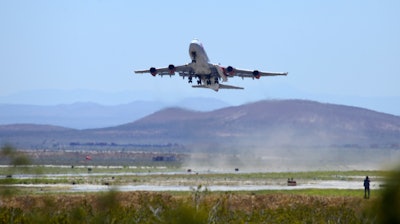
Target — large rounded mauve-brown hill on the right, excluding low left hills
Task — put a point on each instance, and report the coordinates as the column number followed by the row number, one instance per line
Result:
column 273, row 122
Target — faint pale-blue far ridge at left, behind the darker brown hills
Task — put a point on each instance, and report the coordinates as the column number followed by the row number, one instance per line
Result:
column 84, row 115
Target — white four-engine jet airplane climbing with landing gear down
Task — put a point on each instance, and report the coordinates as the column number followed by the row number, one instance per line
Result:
column 208, row 75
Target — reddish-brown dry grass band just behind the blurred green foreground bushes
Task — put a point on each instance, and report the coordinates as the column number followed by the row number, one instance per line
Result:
column 237, row 201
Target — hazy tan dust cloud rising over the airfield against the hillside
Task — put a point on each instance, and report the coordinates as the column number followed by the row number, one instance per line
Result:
column 283, row 149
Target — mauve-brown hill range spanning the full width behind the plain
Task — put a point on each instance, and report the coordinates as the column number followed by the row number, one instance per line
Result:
column 269, row 123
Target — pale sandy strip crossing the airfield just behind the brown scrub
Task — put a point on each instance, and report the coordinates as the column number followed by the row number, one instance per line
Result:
column 181, row 181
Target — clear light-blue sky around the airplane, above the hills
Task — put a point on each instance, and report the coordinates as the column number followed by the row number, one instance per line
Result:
column 344, row 52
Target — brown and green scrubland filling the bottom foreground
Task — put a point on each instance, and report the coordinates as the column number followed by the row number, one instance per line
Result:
column 198, row 206
